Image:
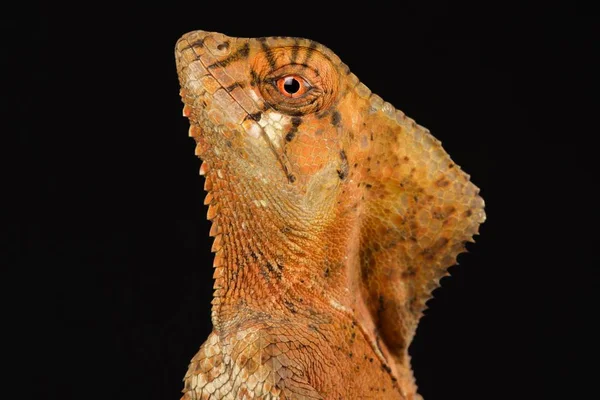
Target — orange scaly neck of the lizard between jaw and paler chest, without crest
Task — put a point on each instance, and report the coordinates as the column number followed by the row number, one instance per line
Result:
column 273, row 253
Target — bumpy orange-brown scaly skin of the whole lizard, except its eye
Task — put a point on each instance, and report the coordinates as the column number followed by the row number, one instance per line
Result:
column 334, row 217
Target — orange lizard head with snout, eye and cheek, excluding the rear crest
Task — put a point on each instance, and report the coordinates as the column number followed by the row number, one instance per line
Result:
column 267, row 104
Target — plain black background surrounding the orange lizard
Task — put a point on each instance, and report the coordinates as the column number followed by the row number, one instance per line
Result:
column 108, row 279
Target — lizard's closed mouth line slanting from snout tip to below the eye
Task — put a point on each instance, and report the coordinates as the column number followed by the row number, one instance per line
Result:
column 280, row 155
